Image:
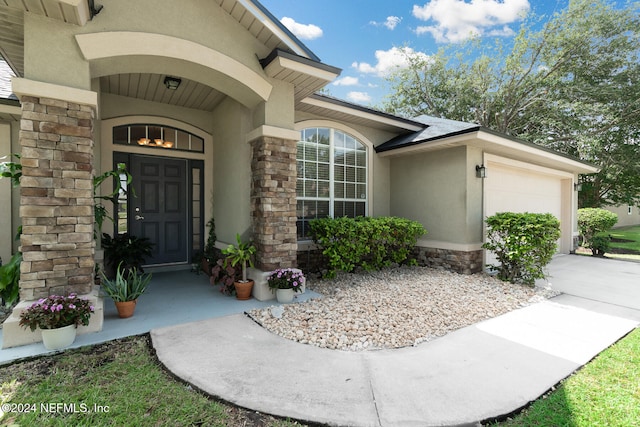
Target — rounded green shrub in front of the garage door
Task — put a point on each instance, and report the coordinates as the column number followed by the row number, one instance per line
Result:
column 523, row 243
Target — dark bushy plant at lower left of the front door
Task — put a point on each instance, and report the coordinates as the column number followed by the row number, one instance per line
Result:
column 131, row 251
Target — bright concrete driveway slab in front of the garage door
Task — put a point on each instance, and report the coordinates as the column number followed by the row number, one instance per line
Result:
column 589, row 282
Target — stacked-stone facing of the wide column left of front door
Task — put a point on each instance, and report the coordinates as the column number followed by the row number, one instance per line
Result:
column 56, row 204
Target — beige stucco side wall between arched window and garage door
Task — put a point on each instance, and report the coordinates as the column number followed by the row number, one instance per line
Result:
column 432, row 188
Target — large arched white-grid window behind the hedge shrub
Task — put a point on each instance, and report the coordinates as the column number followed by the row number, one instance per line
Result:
column 332, row 176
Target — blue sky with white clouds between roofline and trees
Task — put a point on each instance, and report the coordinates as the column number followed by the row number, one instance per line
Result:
column 362, row 36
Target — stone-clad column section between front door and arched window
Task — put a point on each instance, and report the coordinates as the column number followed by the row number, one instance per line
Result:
column 273, row 202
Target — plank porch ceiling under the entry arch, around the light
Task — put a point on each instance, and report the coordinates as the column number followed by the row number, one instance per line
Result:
column 150, row 87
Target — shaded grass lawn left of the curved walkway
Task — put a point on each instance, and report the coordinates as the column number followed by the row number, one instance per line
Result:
column 119, row 383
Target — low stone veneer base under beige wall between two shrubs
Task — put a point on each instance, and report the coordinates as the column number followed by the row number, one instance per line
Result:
column 457, row 261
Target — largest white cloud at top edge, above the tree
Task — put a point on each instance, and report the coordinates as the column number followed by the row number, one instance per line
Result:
column 457, row 20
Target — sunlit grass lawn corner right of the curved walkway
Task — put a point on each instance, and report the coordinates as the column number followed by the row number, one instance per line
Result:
column 606, row 392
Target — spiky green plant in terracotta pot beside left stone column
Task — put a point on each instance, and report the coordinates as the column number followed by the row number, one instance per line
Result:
column 125, row 288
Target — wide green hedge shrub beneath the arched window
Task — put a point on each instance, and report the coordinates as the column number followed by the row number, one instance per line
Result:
column 369, row 243
